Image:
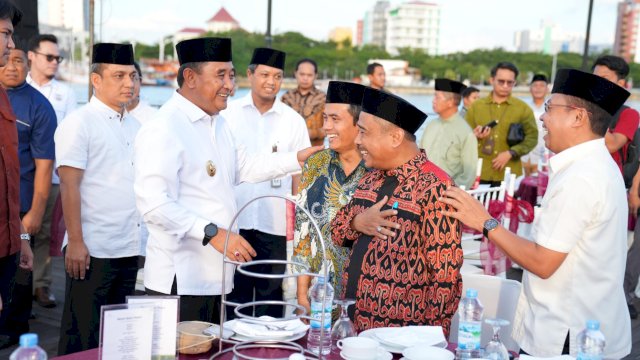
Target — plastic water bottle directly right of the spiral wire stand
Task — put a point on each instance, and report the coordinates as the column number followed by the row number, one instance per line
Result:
column 314, row 341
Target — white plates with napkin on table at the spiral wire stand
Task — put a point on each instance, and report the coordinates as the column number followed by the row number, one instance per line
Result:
column 268, row 330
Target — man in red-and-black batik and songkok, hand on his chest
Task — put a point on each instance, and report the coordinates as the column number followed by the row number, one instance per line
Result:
column 404, row 267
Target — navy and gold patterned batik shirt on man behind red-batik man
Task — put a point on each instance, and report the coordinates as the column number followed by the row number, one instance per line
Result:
column 324, row 189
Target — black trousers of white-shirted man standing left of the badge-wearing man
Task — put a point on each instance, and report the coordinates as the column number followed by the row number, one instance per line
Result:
column 107, row 282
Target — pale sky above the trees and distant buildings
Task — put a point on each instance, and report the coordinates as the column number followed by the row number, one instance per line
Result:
column 465, row 24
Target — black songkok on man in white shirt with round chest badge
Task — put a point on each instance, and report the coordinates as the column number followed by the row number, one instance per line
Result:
column 204, row 50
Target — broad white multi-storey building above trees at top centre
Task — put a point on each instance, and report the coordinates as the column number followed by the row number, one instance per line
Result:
column 415, row 25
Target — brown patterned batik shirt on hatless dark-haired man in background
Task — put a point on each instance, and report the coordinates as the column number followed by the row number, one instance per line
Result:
column 310, row 106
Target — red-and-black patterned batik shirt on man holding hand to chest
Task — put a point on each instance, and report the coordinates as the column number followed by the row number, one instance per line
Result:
column 414, row 277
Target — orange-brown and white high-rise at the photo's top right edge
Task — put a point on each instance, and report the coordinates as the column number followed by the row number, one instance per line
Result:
column 627, row 40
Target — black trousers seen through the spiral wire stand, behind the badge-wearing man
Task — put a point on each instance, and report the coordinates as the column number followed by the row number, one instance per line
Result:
column 267, row 246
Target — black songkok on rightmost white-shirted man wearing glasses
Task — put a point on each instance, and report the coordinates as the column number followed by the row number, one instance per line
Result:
column 595, row 89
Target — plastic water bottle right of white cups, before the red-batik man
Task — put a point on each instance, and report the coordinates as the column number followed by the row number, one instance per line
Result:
column 469, row 326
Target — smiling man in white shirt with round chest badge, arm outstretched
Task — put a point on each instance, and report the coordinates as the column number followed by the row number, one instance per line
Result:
column 187, row 164
